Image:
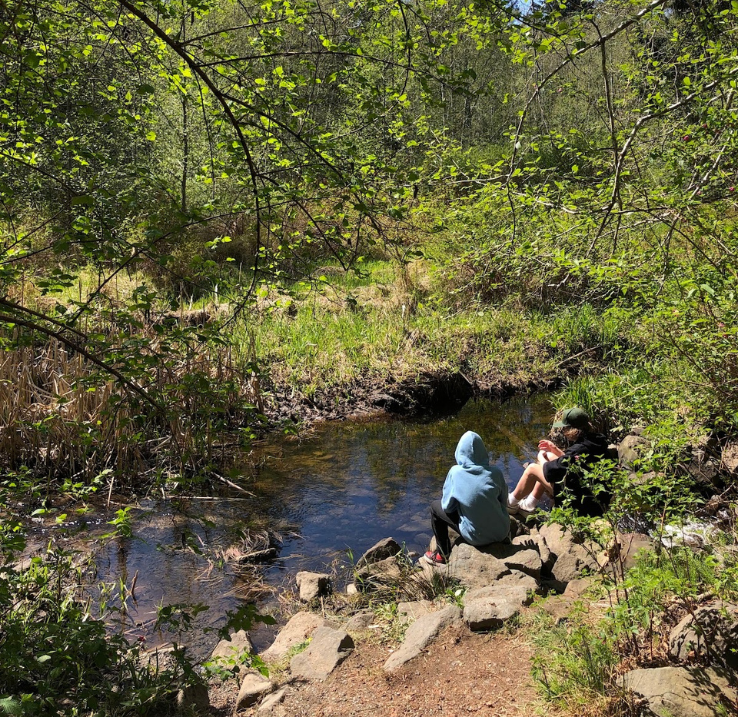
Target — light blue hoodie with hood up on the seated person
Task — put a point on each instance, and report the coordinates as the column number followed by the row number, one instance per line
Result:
column 478, row 493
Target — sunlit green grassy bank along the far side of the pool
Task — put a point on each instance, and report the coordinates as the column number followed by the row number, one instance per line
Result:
column 394, row 323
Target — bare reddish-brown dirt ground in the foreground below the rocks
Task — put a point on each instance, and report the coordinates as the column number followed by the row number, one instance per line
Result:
column 461, row 673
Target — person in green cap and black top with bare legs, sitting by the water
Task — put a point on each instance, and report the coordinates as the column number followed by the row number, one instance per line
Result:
column 556, row 468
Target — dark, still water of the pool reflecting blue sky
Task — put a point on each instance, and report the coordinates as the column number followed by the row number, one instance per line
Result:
column 345, row 487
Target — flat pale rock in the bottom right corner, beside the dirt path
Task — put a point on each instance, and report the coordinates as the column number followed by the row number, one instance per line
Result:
column 682, row 692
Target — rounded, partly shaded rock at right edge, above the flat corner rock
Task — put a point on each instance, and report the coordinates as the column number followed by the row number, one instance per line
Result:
column 711, row 632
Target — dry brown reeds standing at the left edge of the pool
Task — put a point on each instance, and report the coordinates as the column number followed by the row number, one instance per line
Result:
column 61, row 416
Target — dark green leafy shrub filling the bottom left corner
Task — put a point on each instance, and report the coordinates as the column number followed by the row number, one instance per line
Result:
column 56, row 657
